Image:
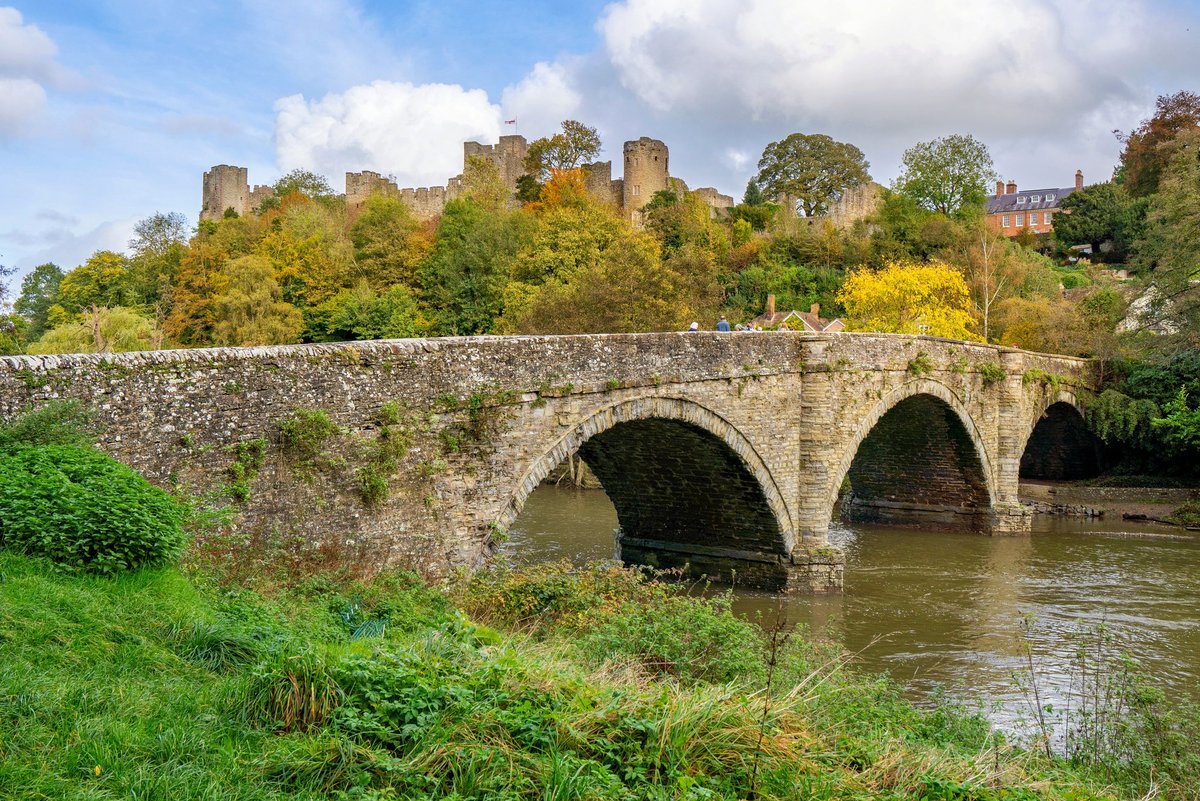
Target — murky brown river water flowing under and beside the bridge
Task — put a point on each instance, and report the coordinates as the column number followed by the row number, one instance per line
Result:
column 935, row 609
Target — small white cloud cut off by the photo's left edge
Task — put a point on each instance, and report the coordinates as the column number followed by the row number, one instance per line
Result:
column 27, row 64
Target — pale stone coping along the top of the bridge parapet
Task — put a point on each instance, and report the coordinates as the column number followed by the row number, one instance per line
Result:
column 400, row 347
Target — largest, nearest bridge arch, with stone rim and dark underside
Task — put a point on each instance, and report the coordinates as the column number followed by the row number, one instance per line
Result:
column 688, row 489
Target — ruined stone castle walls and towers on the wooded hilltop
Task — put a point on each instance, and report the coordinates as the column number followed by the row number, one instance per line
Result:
column 645, row 173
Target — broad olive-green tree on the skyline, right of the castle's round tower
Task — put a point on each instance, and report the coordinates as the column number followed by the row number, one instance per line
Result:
column 812, row 171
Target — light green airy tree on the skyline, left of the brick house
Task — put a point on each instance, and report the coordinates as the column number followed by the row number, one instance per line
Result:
column 947, row 174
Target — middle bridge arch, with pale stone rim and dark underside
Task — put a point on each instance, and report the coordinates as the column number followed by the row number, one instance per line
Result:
column 917, row 459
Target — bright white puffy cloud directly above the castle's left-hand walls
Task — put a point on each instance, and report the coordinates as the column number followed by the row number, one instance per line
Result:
column 415, row 133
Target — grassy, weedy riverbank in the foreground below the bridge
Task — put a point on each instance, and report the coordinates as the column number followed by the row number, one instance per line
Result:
column 542, row 684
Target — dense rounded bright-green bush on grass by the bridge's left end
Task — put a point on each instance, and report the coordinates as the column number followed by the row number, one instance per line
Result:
column 86, row 511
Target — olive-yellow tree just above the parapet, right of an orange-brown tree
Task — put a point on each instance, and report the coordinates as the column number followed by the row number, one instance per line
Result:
column 251, row 310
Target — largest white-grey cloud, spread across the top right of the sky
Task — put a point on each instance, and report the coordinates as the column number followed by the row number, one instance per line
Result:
column 959, row 65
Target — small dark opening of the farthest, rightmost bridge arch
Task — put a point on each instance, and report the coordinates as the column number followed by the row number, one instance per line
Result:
column 1060, row 447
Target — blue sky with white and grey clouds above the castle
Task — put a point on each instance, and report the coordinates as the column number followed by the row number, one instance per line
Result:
column 111, row 111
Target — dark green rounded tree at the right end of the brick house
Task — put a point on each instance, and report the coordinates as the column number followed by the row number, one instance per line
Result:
column 1099, row 214
